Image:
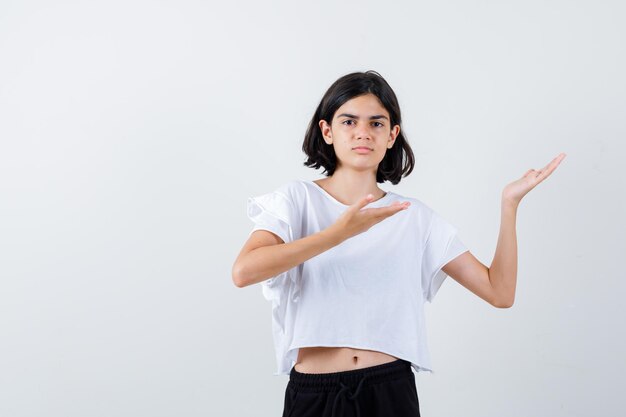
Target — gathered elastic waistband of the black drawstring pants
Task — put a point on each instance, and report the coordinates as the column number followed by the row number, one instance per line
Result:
column 332, row 381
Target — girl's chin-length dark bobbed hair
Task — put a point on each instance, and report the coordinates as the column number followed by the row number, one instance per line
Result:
column 320, row 154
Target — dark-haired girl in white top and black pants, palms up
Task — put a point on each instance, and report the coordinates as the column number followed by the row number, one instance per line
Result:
column 348, row 266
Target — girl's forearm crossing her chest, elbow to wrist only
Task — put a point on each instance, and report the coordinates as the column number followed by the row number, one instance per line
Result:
column 268, row 261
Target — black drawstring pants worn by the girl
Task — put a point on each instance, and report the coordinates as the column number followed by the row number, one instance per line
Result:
column 386, row 390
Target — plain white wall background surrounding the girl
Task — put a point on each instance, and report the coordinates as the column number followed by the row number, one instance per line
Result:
column 132, row 133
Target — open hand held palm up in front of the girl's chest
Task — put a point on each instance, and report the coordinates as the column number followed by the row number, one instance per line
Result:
column 354, row 220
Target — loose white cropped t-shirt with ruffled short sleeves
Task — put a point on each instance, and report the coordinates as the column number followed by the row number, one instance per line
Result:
column 368, row 292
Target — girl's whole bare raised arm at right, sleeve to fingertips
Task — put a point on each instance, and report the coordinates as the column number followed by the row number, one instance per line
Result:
column 496, row 284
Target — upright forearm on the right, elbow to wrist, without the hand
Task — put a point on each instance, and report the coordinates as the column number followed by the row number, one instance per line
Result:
column 503, row 269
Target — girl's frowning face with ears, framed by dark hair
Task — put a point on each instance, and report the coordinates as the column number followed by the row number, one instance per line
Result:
column 360, row 122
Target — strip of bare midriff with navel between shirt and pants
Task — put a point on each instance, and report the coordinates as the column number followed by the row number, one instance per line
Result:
column 323, row 359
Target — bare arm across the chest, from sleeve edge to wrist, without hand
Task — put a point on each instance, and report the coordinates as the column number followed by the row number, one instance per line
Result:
column 265, row 255
